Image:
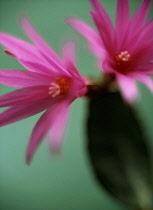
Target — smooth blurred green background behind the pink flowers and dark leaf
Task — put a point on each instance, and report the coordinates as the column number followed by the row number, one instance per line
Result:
column 63, row 182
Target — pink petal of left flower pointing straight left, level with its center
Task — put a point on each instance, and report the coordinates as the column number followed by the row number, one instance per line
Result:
column 22, row 78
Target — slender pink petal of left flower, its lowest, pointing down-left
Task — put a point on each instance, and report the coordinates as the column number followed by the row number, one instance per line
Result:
column 41, row 128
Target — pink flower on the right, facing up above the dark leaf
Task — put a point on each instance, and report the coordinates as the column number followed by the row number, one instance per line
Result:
column 125, row 50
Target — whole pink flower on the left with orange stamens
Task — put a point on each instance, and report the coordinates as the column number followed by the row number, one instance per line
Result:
column 51, row 84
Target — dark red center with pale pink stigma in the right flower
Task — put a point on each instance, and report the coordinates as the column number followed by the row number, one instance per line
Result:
column 123, row 60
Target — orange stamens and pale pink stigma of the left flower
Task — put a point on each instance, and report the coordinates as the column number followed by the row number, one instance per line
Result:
column 60, row 86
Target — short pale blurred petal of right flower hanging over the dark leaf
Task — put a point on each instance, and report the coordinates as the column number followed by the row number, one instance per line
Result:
column 128, row 88
